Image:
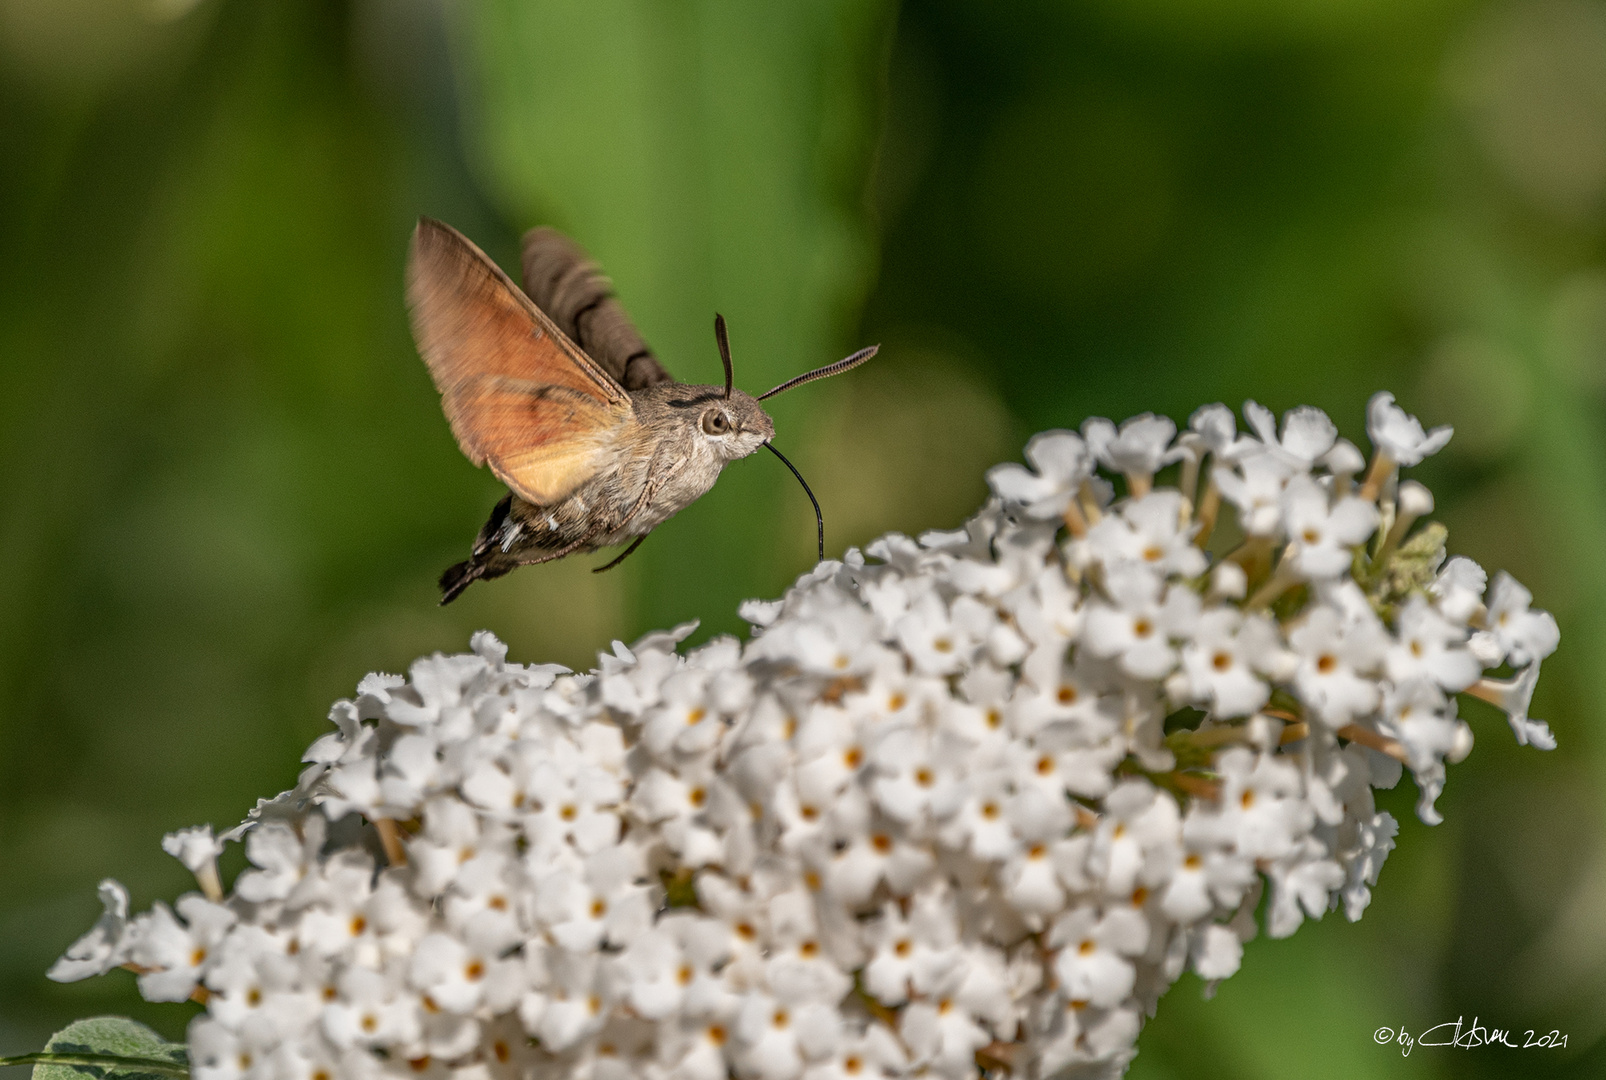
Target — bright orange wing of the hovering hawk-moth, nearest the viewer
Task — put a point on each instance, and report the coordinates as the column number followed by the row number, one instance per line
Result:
column 520, row 396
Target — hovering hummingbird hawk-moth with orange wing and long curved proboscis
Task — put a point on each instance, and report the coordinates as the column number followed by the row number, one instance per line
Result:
column 555, row 390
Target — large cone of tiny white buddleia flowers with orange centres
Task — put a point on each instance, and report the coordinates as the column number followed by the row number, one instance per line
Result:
column 964, row 804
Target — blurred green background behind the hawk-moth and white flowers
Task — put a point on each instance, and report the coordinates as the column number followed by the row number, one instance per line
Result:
column 227, row 489
